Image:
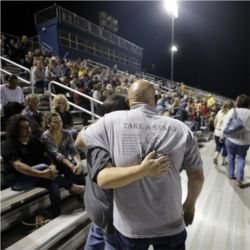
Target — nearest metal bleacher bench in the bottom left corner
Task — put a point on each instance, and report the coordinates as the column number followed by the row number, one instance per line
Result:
column 54, row 232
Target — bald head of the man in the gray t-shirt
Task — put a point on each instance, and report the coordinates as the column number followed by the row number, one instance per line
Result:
column 141, row 91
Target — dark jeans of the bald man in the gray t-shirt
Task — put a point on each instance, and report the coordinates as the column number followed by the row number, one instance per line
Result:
column 173, row 242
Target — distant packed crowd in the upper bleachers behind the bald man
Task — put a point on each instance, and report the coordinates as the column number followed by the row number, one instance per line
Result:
column 99, row 82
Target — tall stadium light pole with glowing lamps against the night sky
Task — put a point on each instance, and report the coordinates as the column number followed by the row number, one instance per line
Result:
column 172, row 8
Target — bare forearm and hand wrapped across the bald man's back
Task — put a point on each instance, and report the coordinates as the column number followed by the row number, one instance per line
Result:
column 114, row 177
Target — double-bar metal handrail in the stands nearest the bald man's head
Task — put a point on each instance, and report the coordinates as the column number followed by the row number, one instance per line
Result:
column 92, row 100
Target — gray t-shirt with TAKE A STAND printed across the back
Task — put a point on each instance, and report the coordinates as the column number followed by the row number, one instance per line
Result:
column 151, row 207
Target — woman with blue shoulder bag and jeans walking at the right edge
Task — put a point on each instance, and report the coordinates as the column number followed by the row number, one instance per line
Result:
column 238, row 143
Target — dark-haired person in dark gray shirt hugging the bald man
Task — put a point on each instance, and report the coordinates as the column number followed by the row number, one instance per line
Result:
column 99, row 202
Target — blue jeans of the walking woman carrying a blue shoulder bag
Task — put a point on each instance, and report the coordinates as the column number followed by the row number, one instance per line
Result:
column 239, row 152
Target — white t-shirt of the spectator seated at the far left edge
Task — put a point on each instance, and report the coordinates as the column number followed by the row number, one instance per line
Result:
column 11, row 95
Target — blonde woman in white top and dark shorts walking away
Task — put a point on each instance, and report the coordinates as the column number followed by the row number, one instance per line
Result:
column 218, row 122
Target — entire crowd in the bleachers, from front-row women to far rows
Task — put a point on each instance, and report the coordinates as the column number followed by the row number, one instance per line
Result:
column 56, row 128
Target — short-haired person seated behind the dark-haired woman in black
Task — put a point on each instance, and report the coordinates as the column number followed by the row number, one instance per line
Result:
column 31, row 111
